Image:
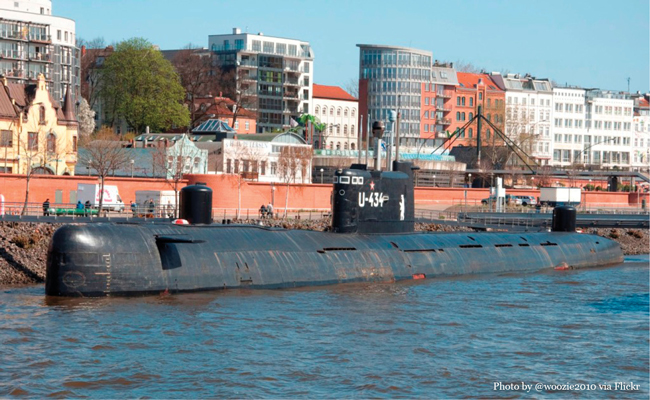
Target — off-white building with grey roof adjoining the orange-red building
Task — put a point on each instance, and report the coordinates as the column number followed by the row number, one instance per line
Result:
column 528, row 113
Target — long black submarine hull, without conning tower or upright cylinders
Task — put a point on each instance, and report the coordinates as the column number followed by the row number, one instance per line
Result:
column 122, row 259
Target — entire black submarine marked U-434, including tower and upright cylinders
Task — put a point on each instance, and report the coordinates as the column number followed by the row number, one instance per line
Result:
column 371, row 239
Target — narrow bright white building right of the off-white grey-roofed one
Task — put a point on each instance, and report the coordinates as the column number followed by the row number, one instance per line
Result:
column 569, row 128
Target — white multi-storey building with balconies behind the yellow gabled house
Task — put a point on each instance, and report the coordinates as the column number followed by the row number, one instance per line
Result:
column 33, row 41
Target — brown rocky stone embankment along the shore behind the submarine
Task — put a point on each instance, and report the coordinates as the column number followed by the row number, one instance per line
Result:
column 23, row 245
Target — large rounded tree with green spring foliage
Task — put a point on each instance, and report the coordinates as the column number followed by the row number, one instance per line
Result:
column 143, row 88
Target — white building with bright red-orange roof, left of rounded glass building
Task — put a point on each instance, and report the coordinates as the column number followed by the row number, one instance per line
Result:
column 338, row 110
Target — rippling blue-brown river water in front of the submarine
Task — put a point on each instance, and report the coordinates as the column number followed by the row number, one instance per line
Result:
column 449, row 338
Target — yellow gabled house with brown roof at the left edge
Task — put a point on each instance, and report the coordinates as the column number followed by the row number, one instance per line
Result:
column 37, row 134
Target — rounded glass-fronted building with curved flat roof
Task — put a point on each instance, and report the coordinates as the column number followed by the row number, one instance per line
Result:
column 391, row 78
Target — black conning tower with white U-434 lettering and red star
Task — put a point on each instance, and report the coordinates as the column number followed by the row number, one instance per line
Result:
column 366, row 201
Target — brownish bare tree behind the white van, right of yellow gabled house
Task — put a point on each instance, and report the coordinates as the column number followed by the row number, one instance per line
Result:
column 105, row 154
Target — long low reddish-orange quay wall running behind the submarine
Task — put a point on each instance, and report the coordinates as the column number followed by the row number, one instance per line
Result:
column 254, row 194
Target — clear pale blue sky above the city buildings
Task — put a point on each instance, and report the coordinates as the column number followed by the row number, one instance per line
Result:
column 586, row 43
